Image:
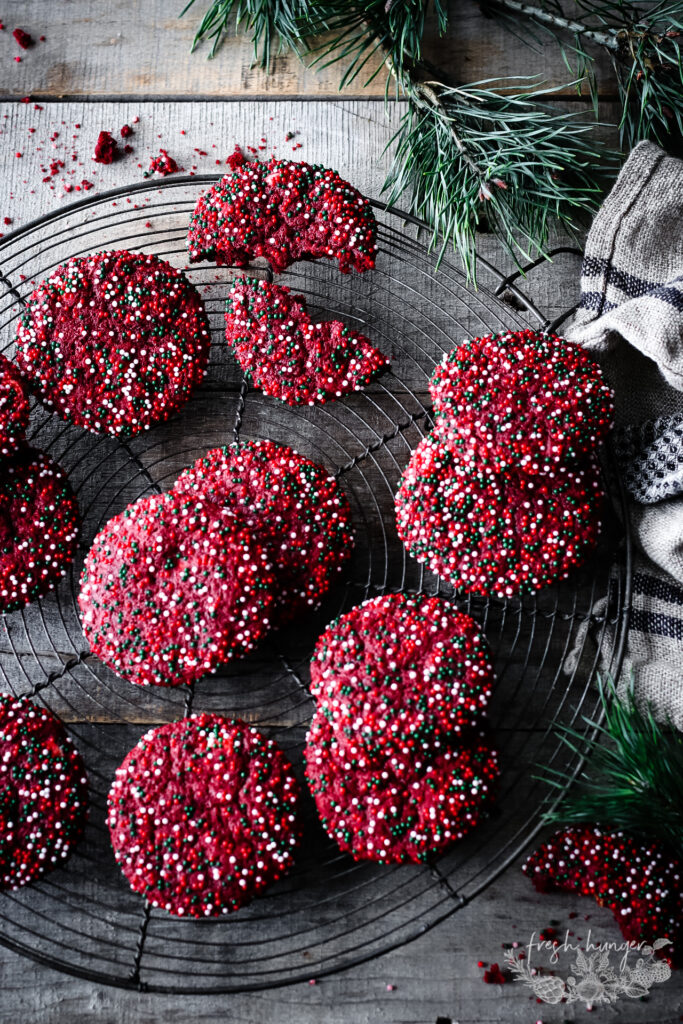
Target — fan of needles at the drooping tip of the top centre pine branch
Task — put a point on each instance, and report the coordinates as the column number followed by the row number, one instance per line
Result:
column 473, row 158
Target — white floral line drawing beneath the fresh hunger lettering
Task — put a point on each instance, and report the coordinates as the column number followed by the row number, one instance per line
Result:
column 594, row 980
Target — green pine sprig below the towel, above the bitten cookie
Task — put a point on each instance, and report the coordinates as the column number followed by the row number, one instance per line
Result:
column 634, row 777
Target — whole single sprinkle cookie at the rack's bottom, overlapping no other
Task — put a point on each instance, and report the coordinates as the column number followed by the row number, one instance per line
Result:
column 204, row 816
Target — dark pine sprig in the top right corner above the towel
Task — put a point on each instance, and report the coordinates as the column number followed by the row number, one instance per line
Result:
column 645, row 42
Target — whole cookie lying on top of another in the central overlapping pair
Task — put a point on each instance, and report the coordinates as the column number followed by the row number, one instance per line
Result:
column 170, row 591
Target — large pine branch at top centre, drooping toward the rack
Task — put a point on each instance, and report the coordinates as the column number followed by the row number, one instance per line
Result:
column 467, row 158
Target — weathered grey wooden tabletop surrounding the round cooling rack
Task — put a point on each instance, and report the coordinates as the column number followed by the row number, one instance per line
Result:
column 103, row 66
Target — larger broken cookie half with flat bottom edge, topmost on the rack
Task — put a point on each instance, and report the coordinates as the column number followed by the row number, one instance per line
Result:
column 284, row 211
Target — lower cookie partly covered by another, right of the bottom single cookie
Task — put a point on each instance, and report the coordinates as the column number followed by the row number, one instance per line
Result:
column 411, row 808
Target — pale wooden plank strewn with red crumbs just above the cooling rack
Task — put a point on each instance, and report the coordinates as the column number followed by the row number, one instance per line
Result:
column 340, row 134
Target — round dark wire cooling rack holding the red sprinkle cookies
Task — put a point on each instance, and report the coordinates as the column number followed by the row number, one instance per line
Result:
column 330, row 913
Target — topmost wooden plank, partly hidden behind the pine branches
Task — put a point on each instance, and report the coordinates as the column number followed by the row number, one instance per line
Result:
column 97, row 50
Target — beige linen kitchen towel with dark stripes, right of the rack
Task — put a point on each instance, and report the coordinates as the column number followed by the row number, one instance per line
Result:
column 631, row 316
